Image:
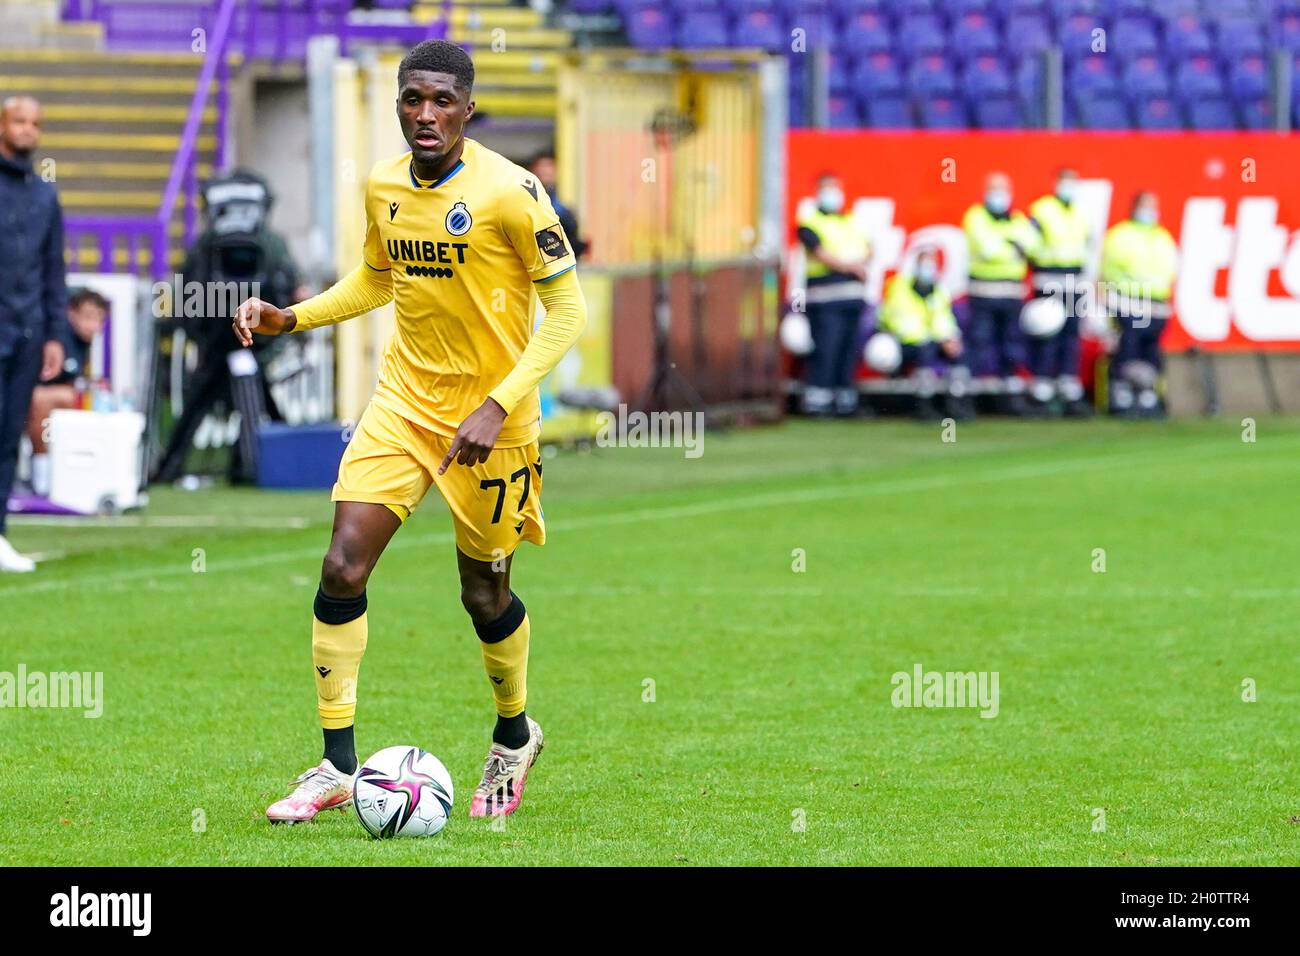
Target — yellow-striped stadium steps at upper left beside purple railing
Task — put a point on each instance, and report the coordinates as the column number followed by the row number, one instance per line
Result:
column 114, row 124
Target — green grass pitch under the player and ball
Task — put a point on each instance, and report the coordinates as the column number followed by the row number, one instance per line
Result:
column 772, row 737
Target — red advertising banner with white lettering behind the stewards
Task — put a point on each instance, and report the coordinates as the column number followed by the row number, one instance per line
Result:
column 1230, row 200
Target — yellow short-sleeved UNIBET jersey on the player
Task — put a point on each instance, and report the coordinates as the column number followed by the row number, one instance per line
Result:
column 463, row 254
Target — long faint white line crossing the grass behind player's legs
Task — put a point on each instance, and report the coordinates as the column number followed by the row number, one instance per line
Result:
column 655, row 514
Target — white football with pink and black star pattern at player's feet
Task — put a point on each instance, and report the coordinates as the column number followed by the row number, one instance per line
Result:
column 402, row 791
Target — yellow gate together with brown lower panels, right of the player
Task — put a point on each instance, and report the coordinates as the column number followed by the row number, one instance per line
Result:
column 677, row 167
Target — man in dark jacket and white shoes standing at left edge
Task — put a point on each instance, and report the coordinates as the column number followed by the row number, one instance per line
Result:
column 33, row 292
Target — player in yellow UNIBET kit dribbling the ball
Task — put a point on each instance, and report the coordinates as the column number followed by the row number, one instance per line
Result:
column 460, row 239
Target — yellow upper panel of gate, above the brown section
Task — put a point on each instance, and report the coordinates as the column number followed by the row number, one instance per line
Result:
column 662, row 158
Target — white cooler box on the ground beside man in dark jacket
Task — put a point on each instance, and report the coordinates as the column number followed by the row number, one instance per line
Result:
column 96, row 460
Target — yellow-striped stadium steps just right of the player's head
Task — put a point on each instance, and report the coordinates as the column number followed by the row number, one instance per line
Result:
column 518, row 81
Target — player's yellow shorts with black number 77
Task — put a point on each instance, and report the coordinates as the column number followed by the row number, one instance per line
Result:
column 495, row 505
